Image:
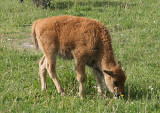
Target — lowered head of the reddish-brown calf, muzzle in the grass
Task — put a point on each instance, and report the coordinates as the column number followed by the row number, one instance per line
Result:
column 115, row 80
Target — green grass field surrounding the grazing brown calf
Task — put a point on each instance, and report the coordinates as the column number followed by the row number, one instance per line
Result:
column 135, row 29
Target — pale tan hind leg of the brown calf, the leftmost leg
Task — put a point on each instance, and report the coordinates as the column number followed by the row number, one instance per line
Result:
column 43, row 73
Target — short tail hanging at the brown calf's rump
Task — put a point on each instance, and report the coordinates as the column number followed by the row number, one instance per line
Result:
column 34, row 38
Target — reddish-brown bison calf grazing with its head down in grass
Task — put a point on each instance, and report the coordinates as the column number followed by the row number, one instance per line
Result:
column 85, row 40
